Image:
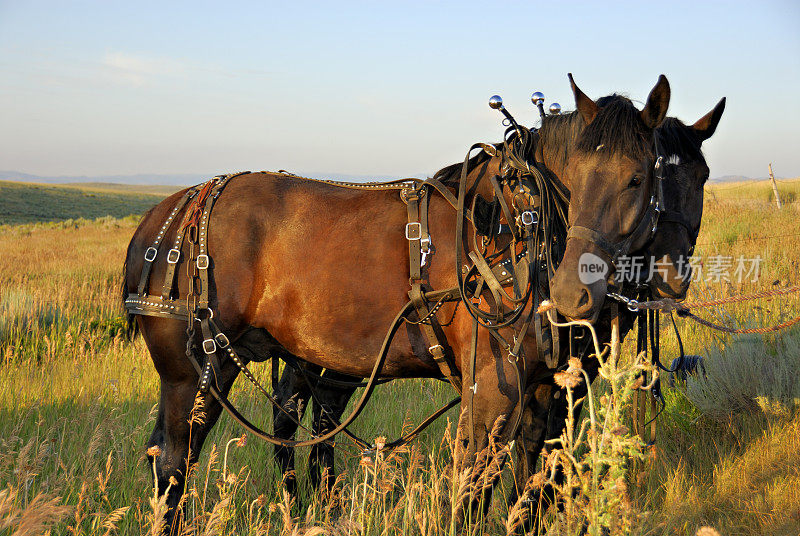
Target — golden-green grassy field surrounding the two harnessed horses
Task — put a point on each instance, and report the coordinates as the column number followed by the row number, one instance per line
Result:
column 77, row 403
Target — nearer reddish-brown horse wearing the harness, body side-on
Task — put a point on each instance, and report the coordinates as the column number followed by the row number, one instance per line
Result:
column 289, row 258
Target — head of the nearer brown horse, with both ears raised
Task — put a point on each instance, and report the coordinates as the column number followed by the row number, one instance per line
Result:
column 613, row 183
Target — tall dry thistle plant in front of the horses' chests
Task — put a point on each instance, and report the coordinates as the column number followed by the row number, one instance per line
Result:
column 589, row 465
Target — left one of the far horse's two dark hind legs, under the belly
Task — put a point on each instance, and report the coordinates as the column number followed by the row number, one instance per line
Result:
column 292, row 395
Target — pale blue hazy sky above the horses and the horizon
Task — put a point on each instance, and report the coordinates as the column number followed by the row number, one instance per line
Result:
column 366, row 88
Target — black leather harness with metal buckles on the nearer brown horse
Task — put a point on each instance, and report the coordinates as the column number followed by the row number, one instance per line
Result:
column 535, row 225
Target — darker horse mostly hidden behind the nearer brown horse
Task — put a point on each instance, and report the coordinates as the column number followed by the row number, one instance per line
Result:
column 684, row 176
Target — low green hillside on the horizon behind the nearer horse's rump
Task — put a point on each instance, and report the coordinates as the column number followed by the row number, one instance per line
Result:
column 32, row 203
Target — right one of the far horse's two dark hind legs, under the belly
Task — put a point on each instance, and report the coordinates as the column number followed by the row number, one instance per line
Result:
column 329, row 402
